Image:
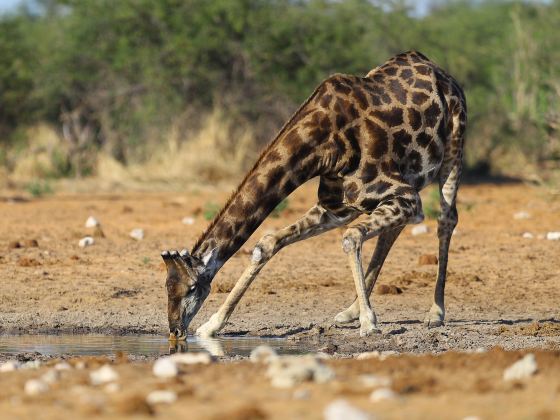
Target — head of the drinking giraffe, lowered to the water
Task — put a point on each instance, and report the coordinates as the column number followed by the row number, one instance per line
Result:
column 188, row 285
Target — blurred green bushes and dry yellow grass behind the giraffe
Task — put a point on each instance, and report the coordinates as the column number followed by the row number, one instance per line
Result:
column 192, row 89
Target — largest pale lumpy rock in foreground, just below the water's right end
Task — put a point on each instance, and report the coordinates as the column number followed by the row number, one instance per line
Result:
column 287, row 371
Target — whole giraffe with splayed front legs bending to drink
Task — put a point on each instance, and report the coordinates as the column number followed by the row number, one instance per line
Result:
column 374, row 142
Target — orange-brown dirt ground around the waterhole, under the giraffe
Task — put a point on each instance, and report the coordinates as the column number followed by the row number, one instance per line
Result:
column 503, row 290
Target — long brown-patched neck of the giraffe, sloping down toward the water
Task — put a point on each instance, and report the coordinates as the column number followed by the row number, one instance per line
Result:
column 277, row 173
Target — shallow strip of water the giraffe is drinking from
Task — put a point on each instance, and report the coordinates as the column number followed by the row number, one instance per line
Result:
column 144, row 345
